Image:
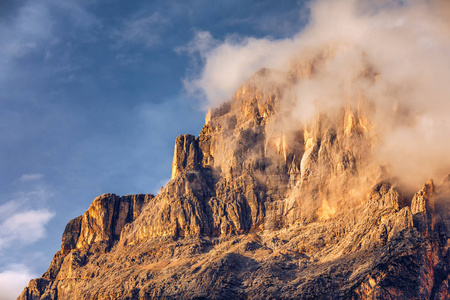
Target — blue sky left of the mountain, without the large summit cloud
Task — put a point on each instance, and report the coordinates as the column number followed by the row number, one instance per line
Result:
column 92, row 97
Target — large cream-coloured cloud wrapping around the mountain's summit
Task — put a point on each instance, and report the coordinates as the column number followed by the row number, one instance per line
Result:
column 404, row 45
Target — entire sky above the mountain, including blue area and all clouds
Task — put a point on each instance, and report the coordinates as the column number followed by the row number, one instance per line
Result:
column 94, row 93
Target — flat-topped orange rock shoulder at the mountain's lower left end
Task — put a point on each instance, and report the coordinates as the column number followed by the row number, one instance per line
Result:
column 93, row 233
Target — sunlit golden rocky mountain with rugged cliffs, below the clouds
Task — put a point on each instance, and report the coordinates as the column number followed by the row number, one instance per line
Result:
column 256, row 209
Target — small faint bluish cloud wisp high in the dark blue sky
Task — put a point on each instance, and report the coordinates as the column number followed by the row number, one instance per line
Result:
column 140, row 30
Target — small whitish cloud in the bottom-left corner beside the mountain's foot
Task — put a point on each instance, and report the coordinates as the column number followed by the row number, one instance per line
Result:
column 13, row 279
